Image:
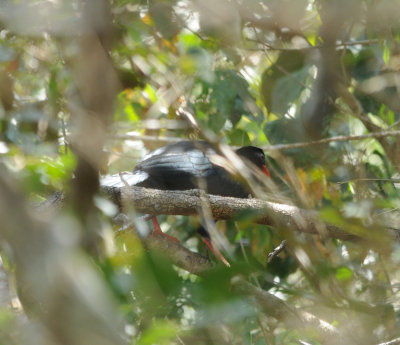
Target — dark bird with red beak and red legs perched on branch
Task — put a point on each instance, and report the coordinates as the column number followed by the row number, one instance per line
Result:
column 190, row 165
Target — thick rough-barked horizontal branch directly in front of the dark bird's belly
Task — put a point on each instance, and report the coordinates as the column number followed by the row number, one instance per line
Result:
column 187, row 203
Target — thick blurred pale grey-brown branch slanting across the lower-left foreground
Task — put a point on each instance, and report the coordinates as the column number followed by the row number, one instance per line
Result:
column 56, row 281
